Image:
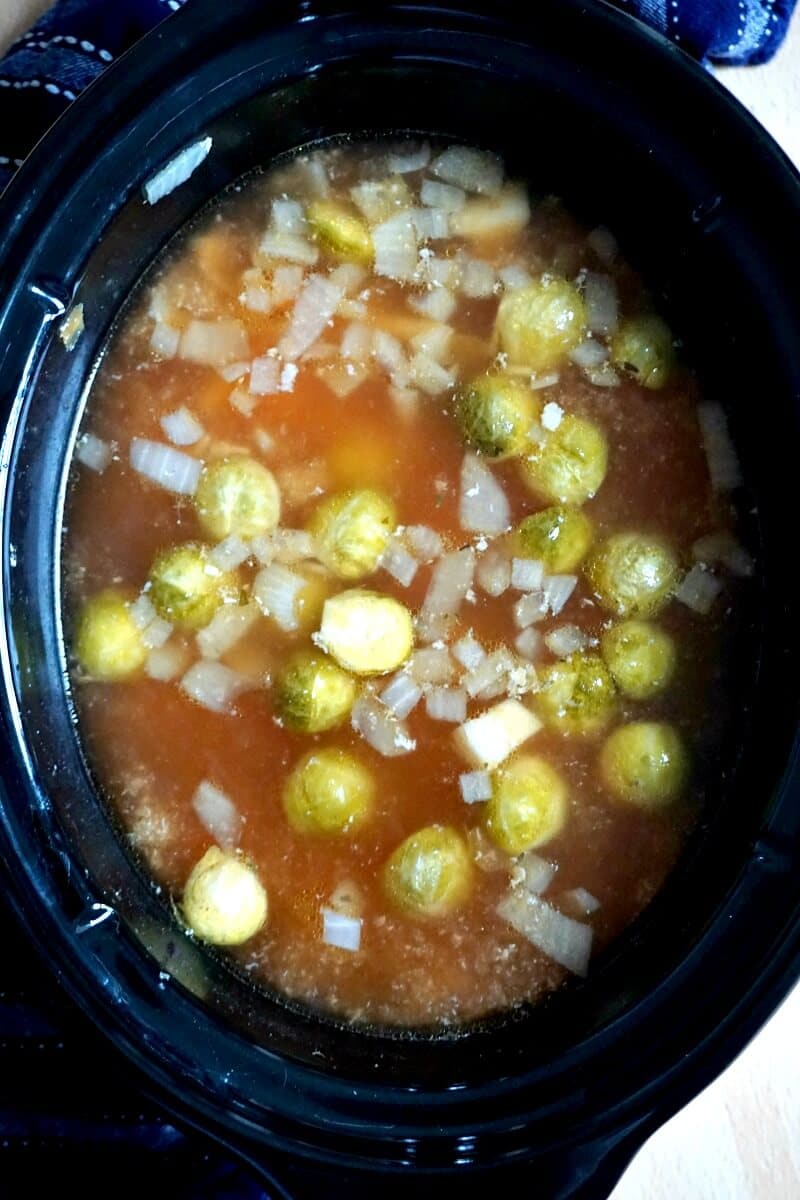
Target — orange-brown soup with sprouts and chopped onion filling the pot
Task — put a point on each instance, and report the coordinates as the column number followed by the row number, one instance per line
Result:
column 399, row 560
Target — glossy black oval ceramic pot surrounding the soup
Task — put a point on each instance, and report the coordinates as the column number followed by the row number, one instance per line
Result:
column 591, row 106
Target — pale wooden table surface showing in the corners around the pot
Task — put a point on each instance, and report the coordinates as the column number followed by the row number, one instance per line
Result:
column 741, row 1139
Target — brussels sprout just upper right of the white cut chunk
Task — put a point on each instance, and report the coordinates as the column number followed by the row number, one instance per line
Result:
column 578, row 695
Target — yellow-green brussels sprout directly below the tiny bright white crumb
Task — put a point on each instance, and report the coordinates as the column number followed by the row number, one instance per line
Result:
column 570, row 465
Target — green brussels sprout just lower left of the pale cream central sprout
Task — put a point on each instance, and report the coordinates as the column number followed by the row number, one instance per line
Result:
column 312, row 694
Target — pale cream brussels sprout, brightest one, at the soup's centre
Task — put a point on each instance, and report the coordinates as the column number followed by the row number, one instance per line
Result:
column 366, row 633
